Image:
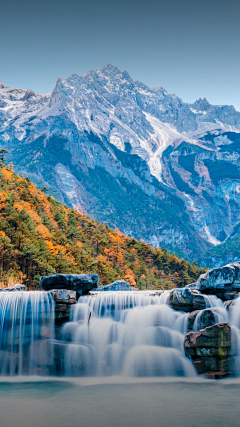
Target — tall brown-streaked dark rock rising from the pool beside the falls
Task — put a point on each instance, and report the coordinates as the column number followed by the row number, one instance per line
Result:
column 210, row 350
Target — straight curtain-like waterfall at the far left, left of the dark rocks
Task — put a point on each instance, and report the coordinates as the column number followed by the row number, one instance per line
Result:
column 26, row 329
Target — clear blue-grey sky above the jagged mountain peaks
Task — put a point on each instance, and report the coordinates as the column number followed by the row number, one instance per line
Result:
column 190, row 47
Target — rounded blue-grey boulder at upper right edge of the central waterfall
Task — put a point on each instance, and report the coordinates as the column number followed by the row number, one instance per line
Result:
column 186, row 299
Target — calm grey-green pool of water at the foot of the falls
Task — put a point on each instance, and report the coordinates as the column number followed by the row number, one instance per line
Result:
column 119, row 402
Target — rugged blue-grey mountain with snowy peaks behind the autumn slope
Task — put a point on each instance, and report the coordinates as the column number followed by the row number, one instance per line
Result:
column 135, row 157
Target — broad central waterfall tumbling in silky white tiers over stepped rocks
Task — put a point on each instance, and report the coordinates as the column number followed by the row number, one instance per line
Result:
column 126, row 333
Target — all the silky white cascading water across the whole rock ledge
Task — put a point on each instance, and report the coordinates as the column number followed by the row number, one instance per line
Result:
column 110, row 333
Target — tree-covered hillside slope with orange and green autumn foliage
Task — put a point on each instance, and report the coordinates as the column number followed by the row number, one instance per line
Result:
column 40, row 236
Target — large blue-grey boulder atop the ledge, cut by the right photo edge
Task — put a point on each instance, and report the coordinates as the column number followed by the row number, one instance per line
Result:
column 224, row 282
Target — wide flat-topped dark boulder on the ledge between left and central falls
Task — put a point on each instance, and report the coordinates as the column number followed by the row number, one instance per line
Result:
column 82, row 283
